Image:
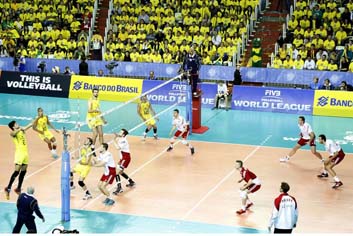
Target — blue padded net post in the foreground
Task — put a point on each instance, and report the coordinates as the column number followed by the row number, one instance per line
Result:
column 65, row 180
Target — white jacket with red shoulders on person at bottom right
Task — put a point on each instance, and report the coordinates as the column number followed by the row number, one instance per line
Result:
column 284, row 213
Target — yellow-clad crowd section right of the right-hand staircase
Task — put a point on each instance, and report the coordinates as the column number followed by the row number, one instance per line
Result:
column 319, row 37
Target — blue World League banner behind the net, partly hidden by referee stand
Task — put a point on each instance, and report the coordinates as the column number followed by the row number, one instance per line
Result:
column 174, row 92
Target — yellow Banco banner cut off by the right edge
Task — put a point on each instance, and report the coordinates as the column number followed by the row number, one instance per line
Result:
column 333, row 103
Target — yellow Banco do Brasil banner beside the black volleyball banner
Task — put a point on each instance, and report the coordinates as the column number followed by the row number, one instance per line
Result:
column 110, row 89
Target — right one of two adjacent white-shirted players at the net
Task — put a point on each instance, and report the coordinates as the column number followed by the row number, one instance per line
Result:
column 122, row 144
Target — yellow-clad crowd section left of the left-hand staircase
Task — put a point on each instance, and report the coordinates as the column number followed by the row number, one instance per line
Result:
column 45, row 28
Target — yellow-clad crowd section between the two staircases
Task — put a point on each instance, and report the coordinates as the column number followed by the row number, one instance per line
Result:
column 164, row 31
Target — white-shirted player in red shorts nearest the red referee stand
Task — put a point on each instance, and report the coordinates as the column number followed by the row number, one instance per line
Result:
column 183, row 128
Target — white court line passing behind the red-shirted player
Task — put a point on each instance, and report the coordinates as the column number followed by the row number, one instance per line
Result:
column 223, row 180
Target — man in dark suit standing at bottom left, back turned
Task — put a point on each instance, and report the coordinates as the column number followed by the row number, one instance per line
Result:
column 26, row 204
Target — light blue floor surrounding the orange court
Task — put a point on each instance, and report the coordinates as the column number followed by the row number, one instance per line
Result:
column 237, row 127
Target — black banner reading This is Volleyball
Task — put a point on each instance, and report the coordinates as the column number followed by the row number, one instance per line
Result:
column 39, row 84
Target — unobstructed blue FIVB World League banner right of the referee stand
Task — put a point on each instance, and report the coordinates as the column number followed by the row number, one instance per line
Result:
column 273, row 99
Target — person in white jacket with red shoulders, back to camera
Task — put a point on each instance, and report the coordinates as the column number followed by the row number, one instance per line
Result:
column 285, row 212
